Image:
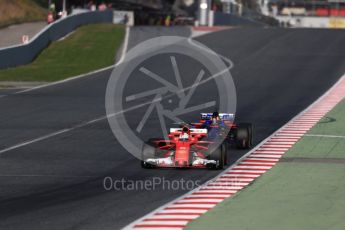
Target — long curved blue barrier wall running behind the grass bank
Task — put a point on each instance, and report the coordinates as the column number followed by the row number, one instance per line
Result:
column 23, row 54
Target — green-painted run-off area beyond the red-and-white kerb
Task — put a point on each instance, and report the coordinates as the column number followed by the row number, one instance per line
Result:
column 292, row 195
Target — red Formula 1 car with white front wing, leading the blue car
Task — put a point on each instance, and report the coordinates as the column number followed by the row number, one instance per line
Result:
column 186, row 148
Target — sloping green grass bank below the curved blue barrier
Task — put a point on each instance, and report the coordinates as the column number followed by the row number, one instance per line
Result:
column 91, row 47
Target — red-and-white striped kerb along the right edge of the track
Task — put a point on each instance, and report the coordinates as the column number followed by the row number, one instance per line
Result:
column 180, row 212
